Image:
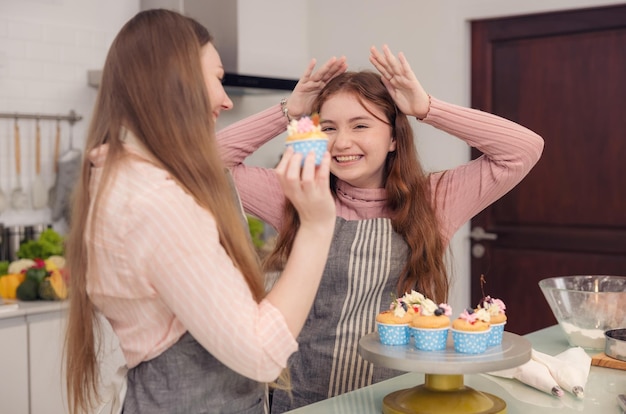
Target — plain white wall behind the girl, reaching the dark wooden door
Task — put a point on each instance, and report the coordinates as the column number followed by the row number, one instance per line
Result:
column 435, row 36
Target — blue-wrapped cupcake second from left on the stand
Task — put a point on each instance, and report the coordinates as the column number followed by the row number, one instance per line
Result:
column 431, row 325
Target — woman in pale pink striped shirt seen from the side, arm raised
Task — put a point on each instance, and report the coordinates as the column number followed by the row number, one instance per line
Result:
column 157, row 245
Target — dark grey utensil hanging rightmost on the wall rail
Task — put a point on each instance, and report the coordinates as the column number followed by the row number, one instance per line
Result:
column 69, row 168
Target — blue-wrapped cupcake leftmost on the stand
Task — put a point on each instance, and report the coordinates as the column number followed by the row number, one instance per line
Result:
column 393, row 324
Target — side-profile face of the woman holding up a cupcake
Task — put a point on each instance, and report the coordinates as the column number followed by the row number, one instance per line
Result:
column 213, row 73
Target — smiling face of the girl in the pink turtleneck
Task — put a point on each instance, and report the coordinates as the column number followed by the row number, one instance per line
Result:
column 358, row 140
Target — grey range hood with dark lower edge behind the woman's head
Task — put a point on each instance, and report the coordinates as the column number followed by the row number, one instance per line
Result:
column 222, row 20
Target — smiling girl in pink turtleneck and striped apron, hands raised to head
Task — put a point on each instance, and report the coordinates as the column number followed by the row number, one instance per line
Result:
column 394, row 220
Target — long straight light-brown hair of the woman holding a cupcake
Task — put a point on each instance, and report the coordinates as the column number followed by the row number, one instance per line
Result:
column 152, row 84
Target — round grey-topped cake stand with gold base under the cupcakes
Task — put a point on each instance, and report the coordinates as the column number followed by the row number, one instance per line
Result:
column 443, row 389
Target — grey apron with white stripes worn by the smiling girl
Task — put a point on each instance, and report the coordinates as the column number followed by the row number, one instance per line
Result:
column 364, row 264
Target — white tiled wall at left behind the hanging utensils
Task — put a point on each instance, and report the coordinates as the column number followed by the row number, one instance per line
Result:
column 46, row 49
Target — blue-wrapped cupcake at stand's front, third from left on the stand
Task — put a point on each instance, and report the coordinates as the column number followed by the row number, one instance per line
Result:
column 470, row 331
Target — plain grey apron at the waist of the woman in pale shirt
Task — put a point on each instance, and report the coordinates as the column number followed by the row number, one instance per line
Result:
column 187, row 379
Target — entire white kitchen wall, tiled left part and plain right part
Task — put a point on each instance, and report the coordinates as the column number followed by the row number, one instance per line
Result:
column 46, row 47
